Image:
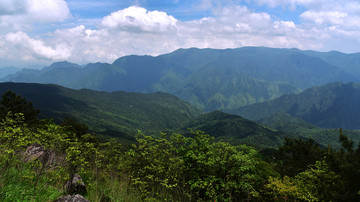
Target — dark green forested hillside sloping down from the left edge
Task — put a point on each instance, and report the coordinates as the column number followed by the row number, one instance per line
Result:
column 107, row 113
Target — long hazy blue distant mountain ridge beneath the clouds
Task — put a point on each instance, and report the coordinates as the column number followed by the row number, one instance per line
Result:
column 208, row 78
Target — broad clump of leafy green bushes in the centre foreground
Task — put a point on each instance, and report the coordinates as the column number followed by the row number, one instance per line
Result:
column 196, row 166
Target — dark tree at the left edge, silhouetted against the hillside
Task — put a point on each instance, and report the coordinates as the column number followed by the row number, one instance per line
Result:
column 15, row 104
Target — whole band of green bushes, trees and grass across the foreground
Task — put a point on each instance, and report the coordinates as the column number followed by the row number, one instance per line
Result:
column 170, row 167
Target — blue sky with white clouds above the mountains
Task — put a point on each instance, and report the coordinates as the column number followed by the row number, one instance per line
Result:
column 40, row 32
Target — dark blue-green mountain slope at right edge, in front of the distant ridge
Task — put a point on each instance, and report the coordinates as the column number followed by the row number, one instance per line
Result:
column 334, row 105
